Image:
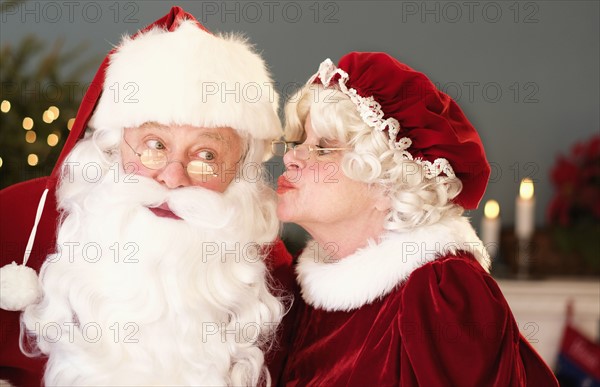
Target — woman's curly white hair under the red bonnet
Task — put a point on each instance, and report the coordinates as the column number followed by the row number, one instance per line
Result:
column 415, row 200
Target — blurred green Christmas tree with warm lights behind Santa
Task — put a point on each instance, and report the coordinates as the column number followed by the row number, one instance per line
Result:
column 40, row 91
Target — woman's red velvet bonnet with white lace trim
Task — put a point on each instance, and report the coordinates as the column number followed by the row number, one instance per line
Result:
column 420, row 121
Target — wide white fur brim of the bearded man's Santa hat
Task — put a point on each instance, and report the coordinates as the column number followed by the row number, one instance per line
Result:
column 191, row 77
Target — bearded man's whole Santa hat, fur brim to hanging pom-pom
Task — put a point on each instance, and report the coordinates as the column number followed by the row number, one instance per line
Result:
column 172, row 72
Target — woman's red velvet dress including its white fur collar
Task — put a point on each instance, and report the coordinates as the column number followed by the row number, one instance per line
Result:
column 417, row 309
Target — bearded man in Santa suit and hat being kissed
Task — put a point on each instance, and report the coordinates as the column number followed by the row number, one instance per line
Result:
column 153, row 237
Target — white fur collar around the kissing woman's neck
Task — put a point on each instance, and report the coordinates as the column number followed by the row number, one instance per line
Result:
column 375, row 270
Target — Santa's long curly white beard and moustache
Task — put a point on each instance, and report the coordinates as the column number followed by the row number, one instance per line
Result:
column 134, row 299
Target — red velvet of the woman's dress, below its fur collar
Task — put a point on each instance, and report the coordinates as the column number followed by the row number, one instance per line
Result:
column 447, row 325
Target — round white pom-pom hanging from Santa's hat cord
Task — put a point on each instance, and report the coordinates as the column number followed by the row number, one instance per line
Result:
column 19, row 287
